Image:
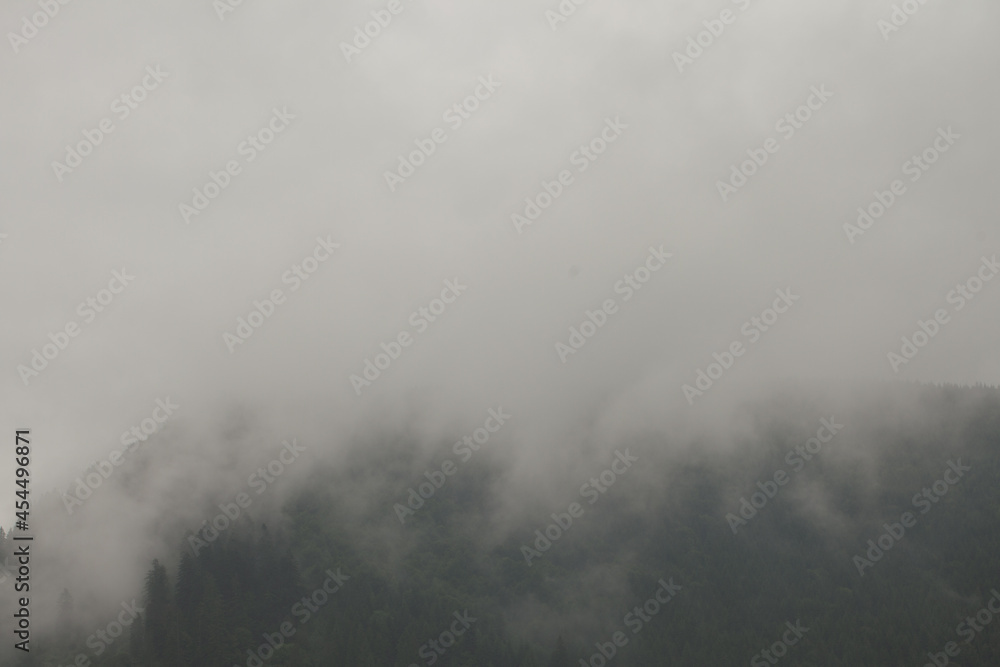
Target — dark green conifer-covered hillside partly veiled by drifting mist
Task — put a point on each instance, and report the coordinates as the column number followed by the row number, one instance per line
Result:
column 668, row 557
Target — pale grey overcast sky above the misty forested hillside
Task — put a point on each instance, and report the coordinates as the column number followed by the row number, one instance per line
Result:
column 879, row 97
